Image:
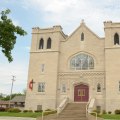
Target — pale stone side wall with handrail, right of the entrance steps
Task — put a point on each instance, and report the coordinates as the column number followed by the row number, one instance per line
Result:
column 89, row 106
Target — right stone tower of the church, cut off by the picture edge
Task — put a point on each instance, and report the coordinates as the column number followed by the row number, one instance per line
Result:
column 112, row 65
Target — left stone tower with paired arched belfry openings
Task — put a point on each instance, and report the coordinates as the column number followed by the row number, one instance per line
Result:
column 43, row 68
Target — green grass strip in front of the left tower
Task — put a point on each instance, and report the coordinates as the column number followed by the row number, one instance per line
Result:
column 27, row 114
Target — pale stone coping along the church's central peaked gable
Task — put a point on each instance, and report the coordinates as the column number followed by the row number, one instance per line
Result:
column 83, row 25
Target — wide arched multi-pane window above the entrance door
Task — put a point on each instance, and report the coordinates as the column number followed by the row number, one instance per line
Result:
column 82, row 62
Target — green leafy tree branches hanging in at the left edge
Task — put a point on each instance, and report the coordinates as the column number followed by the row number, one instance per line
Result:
column 8, row 34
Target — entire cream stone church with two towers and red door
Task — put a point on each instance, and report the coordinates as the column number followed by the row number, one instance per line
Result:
column 80, row 66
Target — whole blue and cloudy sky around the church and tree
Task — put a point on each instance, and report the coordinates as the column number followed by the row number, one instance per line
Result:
column 47, row 13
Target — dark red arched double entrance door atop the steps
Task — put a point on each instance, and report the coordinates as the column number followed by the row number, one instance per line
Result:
column 81, row 93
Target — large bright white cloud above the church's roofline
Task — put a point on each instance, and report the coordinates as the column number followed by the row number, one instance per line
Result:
column 69, row 13
